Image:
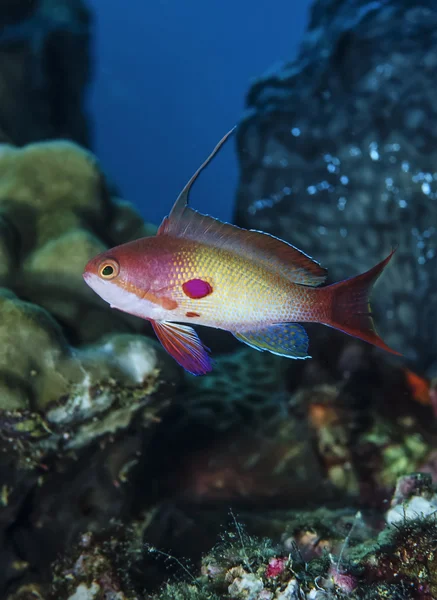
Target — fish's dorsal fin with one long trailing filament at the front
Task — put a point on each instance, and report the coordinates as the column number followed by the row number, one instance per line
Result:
column 277, row 255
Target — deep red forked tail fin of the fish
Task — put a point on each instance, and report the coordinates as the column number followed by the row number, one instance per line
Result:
column 348, row 305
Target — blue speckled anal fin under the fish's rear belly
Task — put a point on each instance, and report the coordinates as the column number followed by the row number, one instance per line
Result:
column 283, row 339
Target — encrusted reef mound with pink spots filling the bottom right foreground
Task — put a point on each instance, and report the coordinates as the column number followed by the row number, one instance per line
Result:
column 324, row 555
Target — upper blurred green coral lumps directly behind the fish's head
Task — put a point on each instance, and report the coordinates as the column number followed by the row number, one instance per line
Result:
column 56, row 212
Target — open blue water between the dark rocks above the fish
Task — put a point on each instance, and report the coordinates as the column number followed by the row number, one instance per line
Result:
column 171, row 78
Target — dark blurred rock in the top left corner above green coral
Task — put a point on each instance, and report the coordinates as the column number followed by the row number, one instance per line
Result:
column 44, row 68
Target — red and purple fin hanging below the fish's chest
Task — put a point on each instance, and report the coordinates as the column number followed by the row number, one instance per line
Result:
column 184, row 345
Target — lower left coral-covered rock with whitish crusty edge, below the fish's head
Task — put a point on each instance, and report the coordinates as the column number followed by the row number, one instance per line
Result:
column 66, row 425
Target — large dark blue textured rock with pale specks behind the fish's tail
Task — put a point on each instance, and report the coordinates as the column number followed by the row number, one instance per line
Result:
column 338, row 156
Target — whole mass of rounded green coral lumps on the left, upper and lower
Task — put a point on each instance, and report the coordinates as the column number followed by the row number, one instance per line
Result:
column 81, row 393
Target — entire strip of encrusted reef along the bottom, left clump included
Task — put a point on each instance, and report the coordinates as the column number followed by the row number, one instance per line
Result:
column 361, row 556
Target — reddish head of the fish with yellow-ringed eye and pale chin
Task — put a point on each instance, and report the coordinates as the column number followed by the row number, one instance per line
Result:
column 123, row 277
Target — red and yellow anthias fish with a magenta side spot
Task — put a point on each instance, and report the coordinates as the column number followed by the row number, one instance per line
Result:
column 201, row 271
